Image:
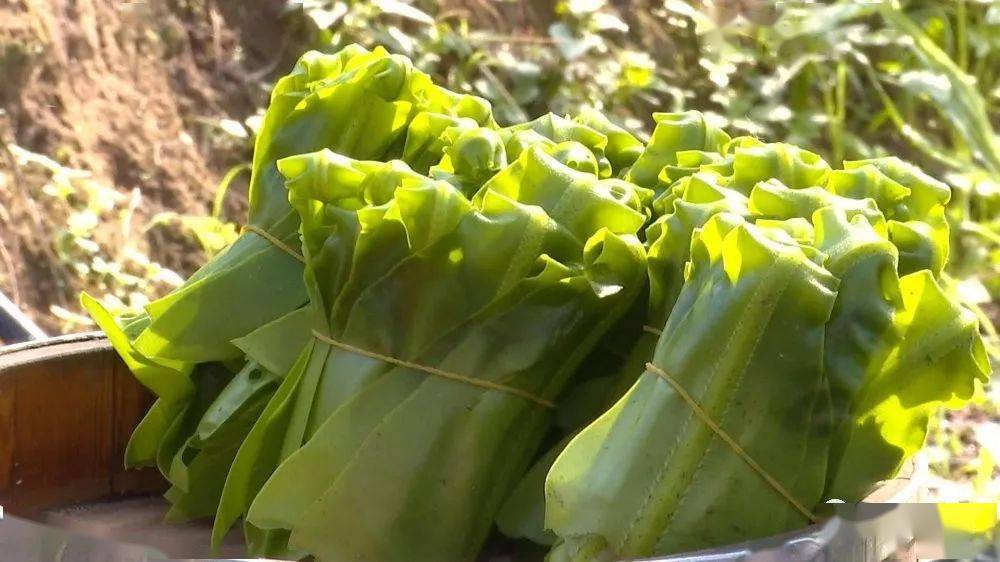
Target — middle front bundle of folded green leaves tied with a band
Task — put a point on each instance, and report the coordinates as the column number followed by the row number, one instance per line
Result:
column 467, row 296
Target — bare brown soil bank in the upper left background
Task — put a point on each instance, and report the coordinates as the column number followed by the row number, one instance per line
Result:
column 131, row 92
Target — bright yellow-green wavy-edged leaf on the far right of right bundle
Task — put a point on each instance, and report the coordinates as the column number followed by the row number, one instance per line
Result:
column 938, row 361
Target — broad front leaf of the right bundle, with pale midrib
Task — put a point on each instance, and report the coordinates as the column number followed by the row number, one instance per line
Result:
column 649, row 476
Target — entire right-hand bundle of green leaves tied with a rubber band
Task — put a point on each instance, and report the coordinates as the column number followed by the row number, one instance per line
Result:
column 801, row 353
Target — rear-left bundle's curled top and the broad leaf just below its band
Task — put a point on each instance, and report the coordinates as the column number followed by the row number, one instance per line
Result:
column 356, row 103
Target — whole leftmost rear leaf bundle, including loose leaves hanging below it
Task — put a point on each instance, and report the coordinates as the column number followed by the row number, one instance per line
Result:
column 239, row 316
